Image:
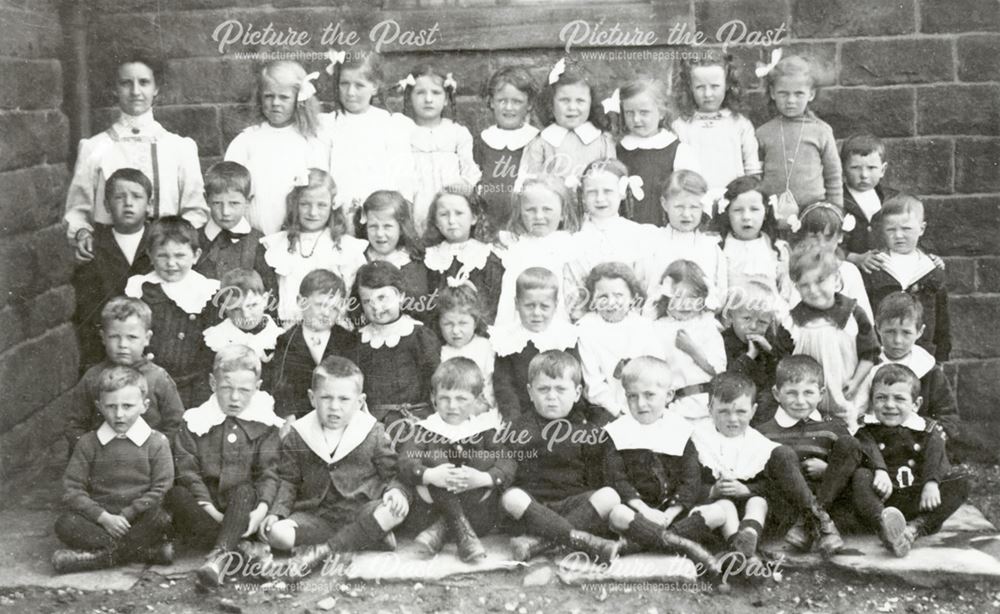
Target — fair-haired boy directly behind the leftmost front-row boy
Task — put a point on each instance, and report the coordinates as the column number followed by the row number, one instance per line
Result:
column 125, row 332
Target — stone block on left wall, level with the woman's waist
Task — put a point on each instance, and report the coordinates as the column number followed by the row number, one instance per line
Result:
column 32, row 198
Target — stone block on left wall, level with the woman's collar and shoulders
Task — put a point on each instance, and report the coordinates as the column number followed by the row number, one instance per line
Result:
column 31, row 138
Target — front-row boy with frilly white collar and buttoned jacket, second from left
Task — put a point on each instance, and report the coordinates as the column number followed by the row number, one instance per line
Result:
column 227, row 459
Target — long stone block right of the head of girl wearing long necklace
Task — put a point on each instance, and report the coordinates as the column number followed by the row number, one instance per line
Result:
column 896, row 61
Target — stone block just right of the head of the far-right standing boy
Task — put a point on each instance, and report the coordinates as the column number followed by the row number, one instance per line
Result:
column 923, row 166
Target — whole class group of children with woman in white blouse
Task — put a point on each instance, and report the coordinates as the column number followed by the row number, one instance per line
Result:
column 594, row 336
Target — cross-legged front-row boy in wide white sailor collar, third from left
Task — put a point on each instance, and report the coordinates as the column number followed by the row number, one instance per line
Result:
column 338, row 489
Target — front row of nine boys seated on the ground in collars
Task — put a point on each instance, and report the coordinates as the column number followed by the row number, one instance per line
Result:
column 340, row 481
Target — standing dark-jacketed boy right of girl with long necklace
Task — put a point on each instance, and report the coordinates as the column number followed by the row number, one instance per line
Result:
column 863, row 159
